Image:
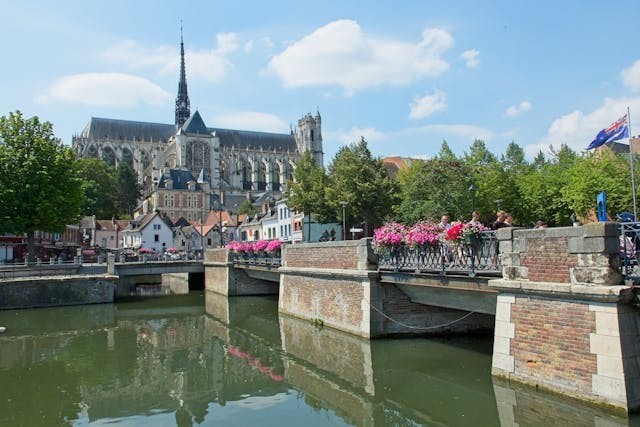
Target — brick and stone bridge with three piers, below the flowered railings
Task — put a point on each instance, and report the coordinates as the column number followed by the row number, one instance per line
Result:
column 555, row 283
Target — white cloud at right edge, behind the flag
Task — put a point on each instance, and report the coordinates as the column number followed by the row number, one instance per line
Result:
column 577, row 129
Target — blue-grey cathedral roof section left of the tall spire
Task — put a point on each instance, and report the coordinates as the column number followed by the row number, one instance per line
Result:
column 113, row 129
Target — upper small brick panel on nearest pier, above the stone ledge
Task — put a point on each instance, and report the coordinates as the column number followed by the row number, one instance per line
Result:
column 548, row 259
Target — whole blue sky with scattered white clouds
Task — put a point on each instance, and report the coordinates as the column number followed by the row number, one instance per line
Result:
column 405, row 75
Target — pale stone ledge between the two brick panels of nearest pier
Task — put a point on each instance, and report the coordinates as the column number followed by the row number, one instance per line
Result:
column 600, row 293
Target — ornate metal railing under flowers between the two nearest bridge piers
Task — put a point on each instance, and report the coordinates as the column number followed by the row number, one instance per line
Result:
column 476, row 255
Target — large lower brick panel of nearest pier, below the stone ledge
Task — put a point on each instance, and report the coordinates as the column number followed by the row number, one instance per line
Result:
column 551, row 342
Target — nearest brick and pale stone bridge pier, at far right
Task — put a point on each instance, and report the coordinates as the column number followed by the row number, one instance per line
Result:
column 565, row 321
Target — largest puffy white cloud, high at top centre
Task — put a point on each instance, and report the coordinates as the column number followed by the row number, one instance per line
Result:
column 340, row 53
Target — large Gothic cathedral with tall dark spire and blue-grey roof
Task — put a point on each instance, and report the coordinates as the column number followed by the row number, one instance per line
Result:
column 230, row 162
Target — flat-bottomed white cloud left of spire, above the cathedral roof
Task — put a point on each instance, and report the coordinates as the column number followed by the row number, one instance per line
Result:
column 105, row 89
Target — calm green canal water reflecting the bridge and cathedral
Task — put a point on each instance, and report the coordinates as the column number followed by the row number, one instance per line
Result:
column 203, row 359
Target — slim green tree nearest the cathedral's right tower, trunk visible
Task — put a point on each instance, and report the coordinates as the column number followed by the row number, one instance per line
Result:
column 308, row 189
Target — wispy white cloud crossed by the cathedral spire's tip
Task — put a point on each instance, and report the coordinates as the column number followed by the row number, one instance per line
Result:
column 208, row 64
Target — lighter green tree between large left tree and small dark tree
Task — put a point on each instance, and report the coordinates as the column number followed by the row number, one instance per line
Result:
column 99, row 185
